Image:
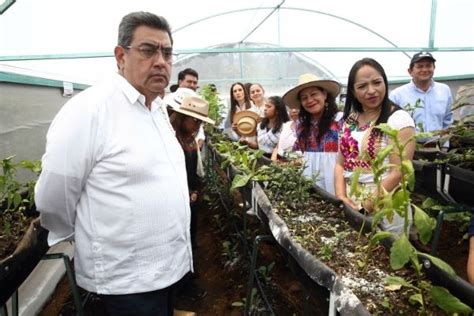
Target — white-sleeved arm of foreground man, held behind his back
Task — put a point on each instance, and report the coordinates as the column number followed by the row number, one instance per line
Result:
column 65, row 166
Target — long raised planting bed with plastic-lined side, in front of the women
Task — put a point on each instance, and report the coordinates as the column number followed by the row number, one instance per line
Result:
column 333, row 254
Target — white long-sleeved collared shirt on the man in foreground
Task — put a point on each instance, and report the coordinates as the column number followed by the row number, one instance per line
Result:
column 114, row 181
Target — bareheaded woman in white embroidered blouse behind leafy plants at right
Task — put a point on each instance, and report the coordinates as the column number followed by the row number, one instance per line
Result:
column 367, row 105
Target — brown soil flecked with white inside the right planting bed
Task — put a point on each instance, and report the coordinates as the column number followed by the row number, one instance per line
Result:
column 322, row 230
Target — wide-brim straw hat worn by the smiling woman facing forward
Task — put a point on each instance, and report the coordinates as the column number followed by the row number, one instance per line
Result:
column 309, row 80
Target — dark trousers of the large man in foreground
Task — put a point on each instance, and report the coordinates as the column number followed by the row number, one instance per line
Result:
column 155, row 303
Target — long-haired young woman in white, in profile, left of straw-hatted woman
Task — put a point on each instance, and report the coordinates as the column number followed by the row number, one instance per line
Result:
column 268, row 131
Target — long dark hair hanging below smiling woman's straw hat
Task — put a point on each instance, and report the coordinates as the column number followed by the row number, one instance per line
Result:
column 329, row 112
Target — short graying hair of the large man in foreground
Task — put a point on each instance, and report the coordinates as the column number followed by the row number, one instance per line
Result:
column 135, row 19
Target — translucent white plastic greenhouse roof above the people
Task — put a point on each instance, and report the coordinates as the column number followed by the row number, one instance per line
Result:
column 76, row 38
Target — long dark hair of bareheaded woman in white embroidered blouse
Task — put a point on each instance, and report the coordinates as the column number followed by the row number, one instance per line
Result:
column 353, row 105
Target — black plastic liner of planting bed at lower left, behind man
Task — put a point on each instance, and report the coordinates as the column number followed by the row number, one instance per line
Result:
column 16, row 268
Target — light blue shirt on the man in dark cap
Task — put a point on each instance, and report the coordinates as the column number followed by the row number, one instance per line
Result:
column 434, row 109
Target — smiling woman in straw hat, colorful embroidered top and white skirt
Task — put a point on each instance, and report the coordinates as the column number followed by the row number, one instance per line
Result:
column 317, row 127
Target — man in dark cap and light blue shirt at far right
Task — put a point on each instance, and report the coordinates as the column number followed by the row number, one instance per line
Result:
column 429, row 101
